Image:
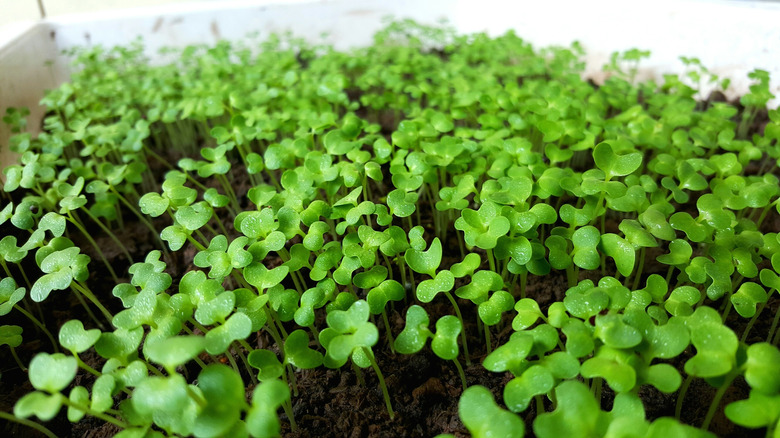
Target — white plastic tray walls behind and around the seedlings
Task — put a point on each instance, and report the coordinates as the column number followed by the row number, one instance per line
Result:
column 731, row 38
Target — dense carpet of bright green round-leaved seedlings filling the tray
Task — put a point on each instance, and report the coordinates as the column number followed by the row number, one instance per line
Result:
column 312, row 197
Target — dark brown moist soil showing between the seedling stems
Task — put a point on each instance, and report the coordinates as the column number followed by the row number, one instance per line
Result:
column 344, row 403
